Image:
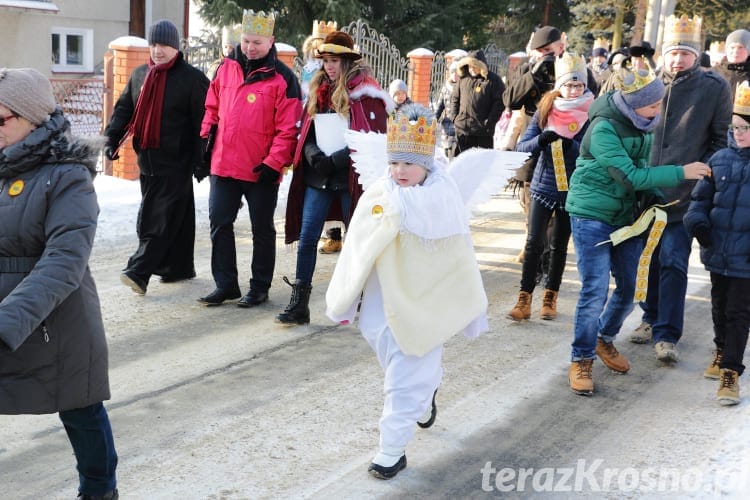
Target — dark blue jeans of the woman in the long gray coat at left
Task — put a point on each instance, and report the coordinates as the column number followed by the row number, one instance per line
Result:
column 90, row 435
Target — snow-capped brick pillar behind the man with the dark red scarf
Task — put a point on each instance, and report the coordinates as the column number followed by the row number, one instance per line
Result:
column 127, row 53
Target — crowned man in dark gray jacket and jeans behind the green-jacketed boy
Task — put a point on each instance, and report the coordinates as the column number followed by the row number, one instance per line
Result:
column 695, row 113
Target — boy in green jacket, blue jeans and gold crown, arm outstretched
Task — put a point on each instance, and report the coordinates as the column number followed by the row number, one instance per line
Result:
column 612, row 167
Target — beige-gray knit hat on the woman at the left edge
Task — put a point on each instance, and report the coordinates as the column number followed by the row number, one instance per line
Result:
column 28, row 93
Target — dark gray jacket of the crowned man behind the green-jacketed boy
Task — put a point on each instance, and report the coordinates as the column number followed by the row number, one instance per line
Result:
column 696, row 111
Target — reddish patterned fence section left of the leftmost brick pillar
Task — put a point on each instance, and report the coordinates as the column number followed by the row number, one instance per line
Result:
column 81, row 100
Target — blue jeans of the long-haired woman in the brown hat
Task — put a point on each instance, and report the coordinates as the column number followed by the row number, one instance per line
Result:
column 314, row 212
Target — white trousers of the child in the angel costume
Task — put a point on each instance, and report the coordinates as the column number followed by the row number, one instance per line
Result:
column 410, row 381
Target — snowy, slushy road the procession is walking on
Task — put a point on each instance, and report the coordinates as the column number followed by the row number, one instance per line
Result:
column 222, row 403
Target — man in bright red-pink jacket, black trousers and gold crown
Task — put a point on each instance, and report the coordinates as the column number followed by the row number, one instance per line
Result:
column 252, row 108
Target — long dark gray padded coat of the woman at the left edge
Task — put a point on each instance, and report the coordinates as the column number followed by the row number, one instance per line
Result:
column 53, row 352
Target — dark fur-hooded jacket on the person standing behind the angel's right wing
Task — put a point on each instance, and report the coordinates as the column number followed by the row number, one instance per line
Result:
column 477, row 101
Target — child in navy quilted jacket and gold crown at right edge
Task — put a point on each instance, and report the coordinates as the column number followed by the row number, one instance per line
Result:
column 718, row 218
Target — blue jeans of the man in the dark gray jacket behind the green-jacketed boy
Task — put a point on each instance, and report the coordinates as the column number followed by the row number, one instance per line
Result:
column 664, row 308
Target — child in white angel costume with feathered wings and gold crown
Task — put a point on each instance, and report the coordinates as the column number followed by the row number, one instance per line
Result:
column 409, row 265
